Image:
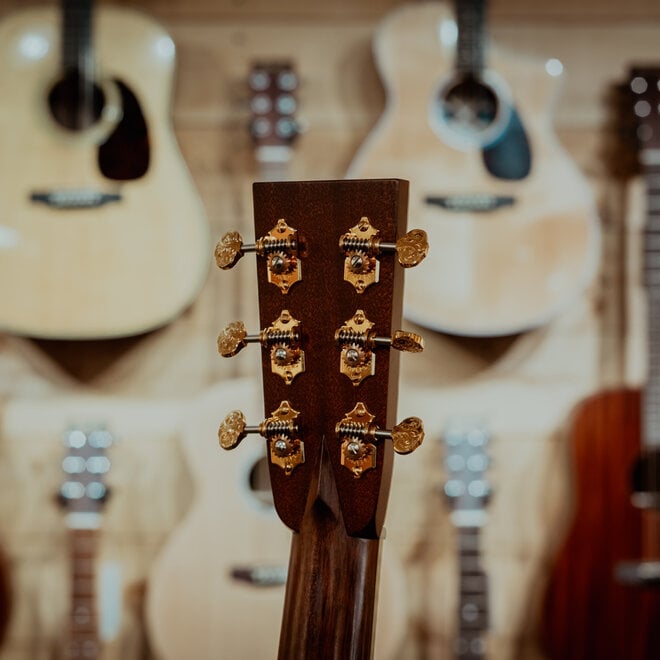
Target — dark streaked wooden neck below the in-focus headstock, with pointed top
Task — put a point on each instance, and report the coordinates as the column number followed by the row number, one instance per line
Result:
column 331, row 589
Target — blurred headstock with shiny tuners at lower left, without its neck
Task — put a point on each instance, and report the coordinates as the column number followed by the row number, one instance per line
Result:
column 85, row 465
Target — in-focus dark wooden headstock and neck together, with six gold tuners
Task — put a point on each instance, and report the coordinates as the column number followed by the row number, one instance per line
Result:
column 330, row 295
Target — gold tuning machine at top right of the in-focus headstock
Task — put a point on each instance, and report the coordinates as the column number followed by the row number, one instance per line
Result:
column 362, row 247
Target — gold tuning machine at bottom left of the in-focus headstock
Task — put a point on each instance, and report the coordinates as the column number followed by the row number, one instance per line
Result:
column 281, row 430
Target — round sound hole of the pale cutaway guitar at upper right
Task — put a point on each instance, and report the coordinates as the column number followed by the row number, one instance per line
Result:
column 469, row 108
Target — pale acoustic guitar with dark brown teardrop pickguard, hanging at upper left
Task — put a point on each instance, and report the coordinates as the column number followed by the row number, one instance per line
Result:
column 101, row 231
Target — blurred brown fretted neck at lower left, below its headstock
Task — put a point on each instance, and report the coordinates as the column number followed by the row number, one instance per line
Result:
column 84, row 639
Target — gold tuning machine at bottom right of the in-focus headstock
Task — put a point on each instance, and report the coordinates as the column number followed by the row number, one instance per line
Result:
column 358, row 435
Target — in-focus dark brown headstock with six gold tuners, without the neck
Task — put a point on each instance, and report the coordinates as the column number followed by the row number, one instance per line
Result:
column 330, row 288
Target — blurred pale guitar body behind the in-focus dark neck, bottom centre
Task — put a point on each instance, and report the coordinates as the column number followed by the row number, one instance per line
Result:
column 195, row 607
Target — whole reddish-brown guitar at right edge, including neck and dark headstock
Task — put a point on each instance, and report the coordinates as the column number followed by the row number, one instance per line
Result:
column 603, row 599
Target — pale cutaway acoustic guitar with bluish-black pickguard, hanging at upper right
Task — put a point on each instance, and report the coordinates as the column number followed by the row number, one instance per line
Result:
column 511, row 219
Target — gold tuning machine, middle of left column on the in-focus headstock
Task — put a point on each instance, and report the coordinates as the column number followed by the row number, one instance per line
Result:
column 282, row 337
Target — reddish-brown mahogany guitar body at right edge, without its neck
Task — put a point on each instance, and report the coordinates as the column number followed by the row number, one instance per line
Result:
column 587, row 614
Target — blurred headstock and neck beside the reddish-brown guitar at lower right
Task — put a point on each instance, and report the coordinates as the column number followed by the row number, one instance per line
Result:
column 468, row 491
